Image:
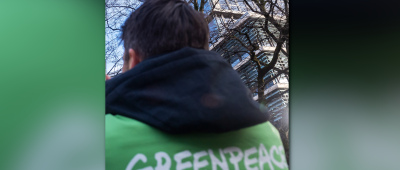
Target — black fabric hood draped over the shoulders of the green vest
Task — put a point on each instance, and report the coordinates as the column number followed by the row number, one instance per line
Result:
column 185, row 91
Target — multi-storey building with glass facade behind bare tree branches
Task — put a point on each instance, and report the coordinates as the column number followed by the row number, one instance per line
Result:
column 235, row 15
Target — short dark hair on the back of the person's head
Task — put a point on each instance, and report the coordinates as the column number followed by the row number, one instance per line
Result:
column 162, row 26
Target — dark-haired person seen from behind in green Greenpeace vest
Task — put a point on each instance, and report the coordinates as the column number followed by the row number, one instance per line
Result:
column 178, row 105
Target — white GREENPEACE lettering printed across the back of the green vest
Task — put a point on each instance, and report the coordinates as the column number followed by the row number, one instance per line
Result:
column 272, row 159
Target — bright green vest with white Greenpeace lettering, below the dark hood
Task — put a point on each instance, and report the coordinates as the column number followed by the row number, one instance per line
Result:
column 131, row 144
